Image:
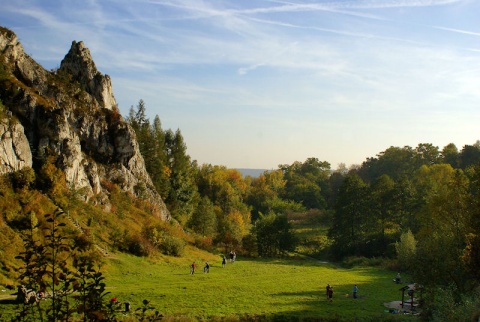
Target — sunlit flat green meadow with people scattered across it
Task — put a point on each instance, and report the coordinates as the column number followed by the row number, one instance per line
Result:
column 281, row 289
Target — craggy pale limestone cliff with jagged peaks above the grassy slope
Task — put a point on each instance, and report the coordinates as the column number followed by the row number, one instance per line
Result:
column 70, row 114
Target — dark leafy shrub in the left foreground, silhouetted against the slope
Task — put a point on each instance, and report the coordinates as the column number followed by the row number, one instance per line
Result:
column 54, row 266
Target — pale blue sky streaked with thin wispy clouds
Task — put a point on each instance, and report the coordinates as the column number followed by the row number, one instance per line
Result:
column 255, row 84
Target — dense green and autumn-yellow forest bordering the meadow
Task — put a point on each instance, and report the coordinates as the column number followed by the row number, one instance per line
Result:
column 416, row 208
